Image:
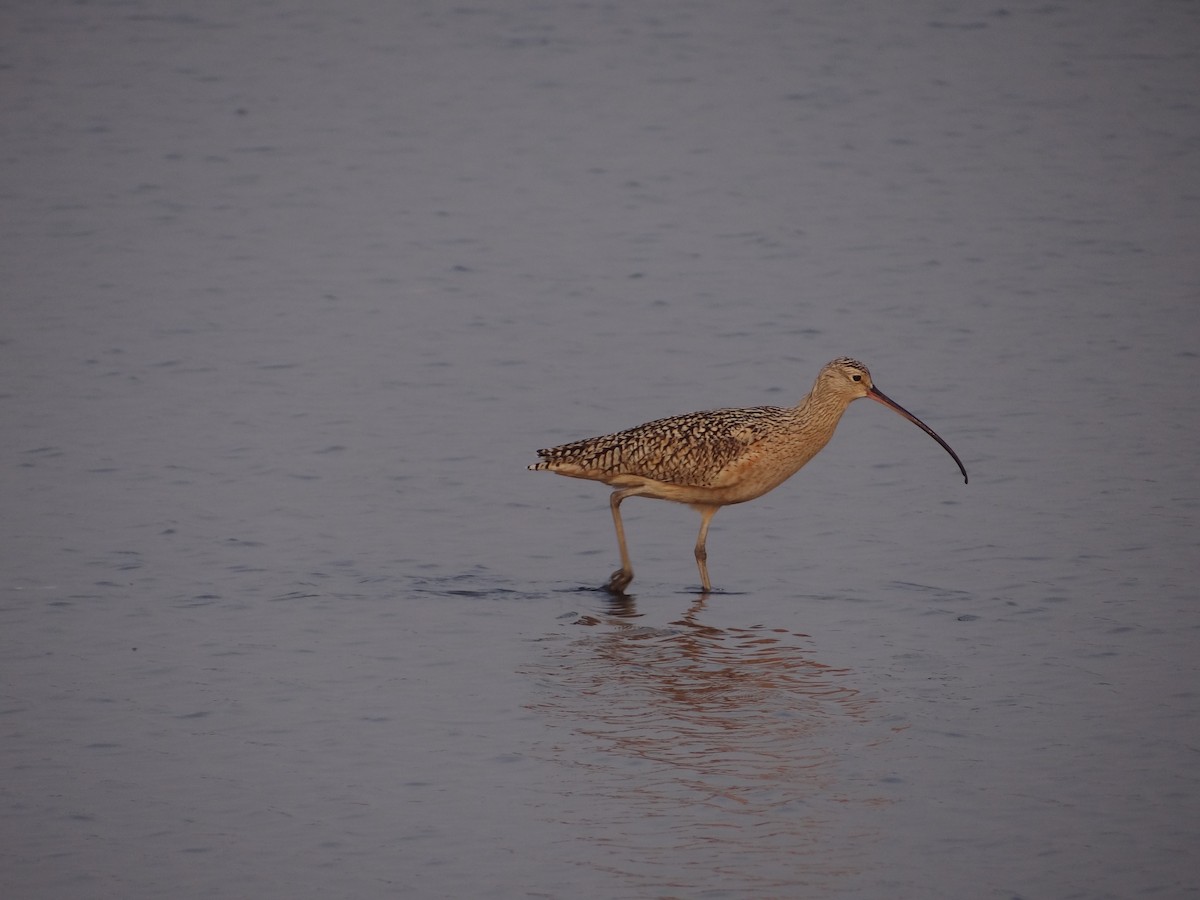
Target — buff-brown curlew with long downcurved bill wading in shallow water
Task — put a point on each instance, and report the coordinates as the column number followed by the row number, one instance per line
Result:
column 712, row 459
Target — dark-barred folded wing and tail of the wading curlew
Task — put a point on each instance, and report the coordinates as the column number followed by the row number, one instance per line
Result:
column 691, row 449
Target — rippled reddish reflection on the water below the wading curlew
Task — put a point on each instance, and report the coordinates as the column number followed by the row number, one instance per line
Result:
column 730, row 749
